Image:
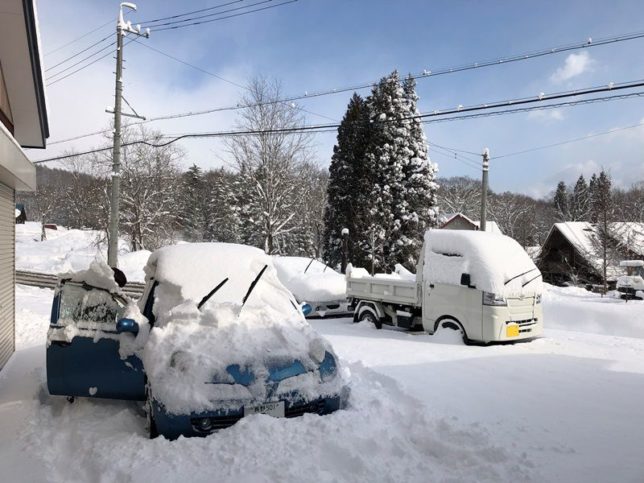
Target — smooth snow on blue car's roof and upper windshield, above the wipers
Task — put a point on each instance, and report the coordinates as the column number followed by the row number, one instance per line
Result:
column 197, row 268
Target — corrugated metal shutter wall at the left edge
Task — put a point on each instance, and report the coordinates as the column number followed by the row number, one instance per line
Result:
column 7, row 272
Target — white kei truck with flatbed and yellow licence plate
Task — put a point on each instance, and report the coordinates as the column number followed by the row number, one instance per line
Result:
column 482, row 284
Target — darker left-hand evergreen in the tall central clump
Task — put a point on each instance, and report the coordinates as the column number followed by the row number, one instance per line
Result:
column 349, row 183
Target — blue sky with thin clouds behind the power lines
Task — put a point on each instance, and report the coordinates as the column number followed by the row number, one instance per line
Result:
column 323, row 44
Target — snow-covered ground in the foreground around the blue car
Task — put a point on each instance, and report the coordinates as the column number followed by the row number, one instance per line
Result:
column 567, row 407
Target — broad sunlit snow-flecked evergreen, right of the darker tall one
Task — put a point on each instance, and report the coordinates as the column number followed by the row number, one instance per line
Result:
column 404, row 193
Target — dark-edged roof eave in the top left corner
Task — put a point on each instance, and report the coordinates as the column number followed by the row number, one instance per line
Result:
column 22, row 71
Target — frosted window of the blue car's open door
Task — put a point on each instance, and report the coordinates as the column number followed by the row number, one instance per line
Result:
column 85, row 303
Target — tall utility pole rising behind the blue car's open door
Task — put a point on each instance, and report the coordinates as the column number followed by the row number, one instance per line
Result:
column 122, row 28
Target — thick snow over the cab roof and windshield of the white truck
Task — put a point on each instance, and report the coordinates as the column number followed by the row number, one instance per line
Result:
column 496, row 263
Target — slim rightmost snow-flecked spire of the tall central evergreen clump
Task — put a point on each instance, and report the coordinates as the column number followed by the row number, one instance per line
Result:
column 417, row 210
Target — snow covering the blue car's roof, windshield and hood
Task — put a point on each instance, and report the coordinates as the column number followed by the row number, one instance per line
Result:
column 190, row 350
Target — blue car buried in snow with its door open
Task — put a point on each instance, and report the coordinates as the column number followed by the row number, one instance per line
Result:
column 215, row 337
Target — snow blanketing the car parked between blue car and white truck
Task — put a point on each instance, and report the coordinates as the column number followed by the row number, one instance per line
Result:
column 310, row 280
